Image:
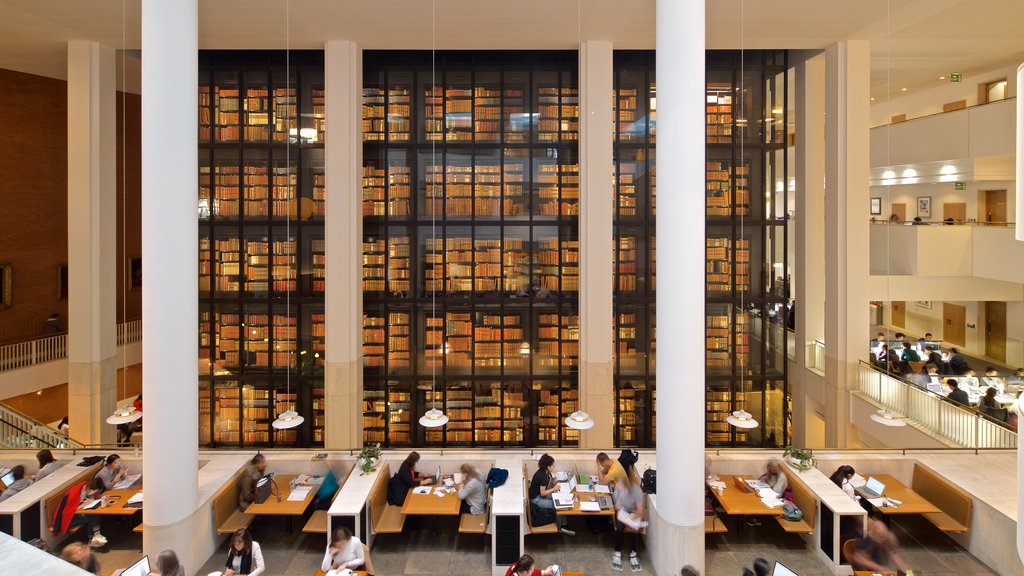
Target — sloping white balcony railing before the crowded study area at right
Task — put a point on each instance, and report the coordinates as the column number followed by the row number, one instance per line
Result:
column 951, row 422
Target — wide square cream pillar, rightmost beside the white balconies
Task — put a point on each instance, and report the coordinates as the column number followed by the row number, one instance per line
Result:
column 847, row 214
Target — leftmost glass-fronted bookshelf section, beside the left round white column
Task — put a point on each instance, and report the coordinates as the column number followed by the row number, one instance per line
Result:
column 262, row 207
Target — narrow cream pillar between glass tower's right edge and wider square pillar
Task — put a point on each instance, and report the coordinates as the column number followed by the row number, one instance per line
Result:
column 810, row 214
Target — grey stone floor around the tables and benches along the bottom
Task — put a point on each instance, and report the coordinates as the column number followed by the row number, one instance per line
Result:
column 440, row 550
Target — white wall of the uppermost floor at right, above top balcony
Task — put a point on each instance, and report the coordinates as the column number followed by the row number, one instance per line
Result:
column 924, row 103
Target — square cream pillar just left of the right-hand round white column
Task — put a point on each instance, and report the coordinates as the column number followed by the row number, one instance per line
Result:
column 596, row 243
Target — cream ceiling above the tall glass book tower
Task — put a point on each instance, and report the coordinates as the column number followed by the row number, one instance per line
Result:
column 913, row 42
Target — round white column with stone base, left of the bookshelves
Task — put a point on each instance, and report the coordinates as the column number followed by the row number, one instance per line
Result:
column 170, row 298
